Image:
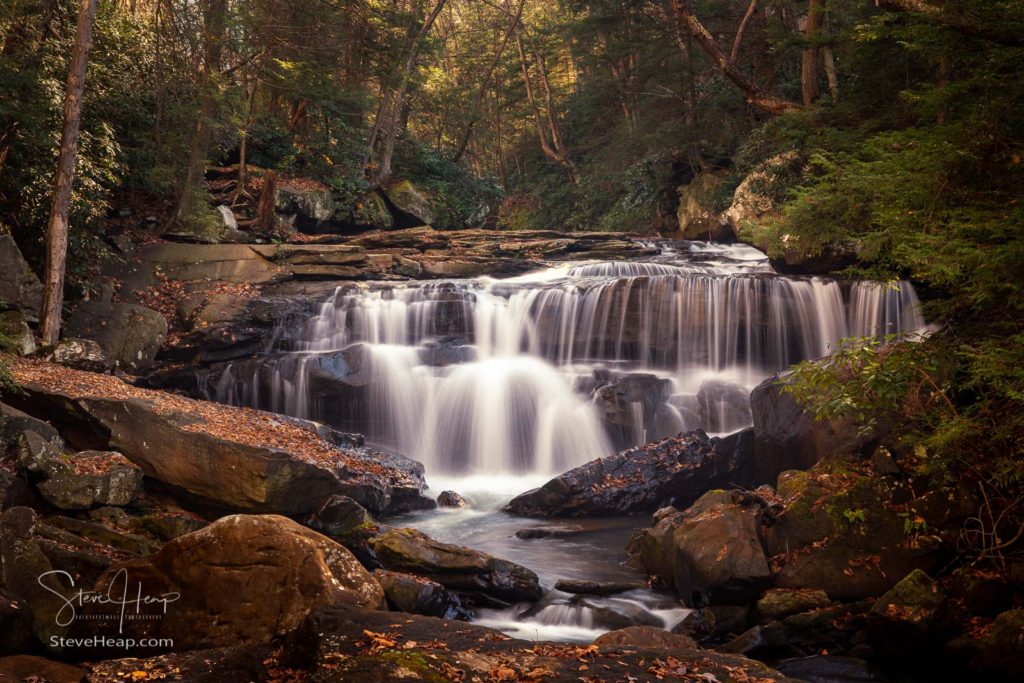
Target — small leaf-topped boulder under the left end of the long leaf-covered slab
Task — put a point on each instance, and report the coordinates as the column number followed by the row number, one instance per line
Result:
column 94, row 479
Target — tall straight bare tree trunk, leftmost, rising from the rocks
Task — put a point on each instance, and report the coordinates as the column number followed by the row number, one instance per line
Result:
column 57, row 229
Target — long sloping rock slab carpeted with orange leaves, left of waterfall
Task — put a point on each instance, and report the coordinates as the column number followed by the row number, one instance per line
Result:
column 236, row 460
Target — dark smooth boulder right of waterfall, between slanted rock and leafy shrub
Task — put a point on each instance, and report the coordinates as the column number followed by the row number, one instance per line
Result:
column 788, row 436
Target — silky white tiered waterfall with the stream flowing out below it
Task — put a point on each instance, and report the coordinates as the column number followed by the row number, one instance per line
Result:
column 497, row 386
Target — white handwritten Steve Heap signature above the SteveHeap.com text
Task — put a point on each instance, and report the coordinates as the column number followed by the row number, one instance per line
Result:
column 129, row 602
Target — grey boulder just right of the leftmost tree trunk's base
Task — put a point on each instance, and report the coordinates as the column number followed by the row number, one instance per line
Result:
column 130, row 335
